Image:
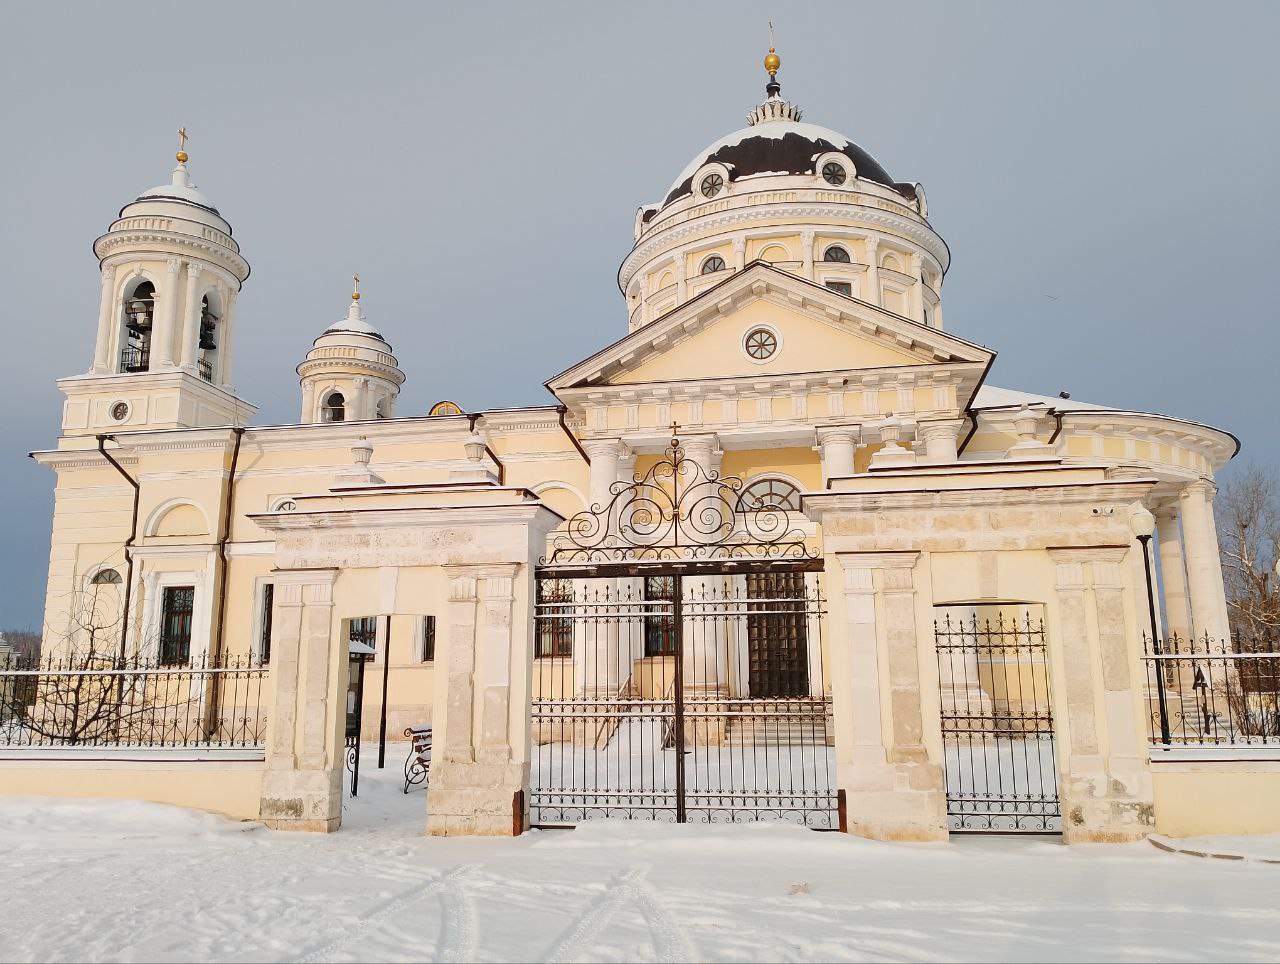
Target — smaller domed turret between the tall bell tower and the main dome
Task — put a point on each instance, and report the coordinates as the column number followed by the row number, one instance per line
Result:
column 350, row 374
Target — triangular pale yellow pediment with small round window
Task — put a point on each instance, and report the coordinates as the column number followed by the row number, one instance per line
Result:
column 817, row 331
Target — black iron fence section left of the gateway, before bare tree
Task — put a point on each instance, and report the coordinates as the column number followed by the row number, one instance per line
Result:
column 132, row 703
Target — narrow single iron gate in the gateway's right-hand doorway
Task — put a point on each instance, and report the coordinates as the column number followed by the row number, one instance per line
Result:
column 998, row 725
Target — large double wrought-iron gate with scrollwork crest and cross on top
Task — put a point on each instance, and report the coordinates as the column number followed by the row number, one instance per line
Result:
column 678, row 671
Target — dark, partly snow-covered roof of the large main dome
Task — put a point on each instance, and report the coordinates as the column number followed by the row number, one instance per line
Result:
column 780, row 148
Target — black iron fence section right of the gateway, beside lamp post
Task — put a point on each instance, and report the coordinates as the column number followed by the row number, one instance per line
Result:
column 1213, row 693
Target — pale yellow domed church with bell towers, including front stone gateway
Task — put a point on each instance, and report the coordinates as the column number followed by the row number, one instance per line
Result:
column 780, row 551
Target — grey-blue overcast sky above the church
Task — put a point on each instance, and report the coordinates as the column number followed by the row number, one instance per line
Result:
column 1105, row 176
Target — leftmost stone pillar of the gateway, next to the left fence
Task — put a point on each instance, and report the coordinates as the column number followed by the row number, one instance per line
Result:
column 303, row 783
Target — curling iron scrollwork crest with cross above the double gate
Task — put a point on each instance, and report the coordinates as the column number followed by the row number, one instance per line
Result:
column 679, row 513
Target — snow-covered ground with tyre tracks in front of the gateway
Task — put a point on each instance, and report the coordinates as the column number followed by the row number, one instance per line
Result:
column 126, row 881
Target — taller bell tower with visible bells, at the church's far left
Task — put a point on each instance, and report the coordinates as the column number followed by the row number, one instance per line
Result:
column 162, row 359
